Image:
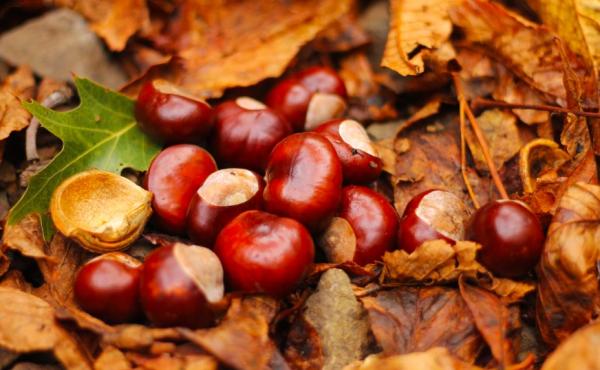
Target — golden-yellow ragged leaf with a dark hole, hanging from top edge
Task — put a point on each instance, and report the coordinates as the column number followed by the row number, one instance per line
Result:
column 414, row 25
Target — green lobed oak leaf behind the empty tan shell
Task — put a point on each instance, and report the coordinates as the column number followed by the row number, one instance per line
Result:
column 100, row 133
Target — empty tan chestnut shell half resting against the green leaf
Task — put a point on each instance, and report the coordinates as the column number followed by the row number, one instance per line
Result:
column 102, row 211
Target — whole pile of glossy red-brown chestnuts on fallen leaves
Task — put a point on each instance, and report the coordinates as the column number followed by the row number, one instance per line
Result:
column 294, row 174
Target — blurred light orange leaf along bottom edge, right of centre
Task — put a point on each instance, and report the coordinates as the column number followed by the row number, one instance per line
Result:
column 437, row 358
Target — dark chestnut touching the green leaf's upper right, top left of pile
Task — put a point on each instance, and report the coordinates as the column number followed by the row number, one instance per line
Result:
column 170, row 115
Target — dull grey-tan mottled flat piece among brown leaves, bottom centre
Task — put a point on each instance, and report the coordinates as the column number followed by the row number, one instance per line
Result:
column 339, row 319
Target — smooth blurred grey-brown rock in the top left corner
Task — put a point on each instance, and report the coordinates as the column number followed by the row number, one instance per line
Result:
column 58, row 44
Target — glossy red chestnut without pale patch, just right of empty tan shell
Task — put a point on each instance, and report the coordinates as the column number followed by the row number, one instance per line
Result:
column 173, row 178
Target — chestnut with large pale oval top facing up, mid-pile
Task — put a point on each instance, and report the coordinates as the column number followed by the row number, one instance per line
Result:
column 224, row 195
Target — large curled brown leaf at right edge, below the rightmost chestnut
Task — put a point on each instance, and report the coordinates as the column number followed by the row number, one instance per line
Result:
column 568, row 294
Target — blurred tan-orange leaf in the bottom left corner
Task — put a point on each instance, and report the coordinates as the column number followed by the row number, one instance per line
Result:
column 27, row 324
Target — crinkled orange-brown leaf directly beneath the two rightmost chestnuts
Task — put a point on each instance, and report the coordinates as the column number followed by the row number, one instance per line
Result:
column 439, row 262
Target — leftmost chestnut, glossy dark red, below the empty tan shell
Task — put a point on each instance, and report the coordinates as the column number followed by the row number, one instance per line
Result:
column 107, row 287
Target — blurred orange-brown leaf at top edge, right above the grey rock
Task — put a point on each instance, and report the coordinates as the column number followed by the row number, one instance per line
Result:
column 113, row 20
